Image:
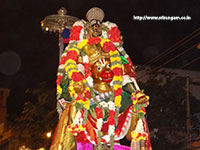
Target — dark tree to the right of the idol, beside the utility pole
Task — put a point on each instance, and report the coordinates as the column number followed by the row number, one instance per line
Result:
column 166, row 113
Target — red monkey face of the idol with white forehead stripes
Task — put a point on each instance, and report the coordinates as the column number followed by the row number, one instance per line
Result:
column 102, row 71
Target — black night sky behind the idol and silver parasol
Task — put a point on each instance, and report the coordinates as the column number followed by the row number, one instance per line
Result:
column 29, row 56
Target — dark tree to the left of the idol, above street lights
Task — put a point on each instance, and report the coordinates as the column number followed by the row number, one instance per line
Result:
column 39, row 116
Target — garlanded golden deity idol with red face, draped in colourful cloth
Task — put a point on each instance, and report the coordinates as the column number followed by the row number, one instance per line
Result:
column 99, row 100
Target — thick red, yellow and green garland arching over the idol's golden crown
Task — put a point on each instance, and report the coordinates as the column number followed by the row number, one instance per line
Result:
column 69, row 60
